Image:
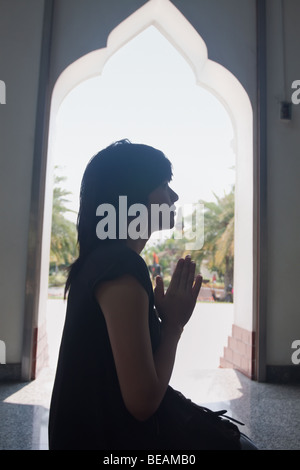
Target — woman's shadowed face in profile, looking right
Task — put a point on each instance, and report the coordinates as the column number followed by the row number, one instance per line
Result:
column 162, row 197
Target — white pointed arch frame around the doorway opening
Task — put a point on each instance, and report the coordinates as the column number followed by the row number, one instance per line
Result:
column 169, row 21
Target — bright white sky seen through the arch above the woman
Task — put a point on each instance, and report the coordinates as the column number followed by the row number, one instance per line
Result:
column 147, row 93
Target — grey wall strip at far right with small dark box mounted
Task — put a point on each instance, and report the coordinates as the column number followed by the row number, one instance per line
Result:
column 283, row 164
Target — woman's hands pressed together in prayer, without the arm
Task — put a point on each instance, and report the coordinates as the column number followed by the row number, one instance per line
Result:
column 176, row 305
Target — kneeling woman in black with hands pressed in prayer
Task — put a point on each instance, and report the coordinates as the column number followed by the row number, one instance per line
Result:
column 111, row 389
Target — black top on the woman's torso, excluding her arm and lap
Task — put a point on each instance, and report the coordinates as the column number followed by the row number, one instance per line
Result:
column 87, row 410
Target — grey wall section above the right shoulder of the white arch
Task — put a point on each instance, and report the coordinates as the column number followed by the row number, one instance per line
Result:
column 220, row 23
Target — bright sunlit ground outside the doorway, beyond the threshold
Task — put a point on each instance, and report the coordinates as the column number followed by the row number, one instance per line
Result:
column 200, row 347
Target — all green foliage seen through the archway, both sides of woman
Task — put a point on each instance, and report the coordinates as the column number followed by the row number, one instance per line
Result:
column 218, row 249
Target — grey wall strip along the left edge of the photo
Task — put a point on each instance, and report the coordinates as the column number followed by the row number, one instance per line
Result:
column 20, row 44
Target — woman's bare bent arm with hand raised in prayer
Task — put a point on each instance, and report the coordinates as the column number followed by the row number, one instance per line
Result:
column 143, row 377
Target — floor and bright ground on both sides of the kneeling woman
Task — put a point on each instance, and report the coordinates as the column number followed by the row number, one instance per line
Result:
column 271, row 413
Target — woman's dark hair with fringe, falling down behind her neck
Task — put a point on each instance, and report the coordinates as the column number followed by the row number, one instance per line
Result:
column 121, row 169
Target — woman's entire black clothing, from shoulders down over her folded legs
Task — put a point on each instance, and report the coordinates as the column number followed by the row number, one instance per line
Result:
column 87, row 411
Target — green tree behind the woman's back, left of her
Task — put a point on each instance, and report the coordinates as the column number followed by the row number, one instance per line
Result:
column 63, row 249
